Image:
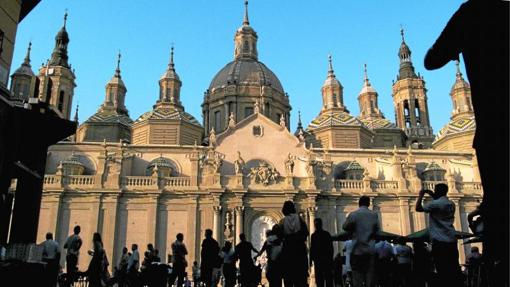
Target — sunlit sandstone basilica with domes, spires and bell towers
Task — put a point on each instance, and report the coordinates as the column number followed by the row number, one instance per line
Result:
column 144, row 180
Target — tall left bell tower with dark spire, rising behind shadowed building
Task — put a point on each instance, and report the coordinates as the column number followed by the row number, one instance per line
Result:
column 56, row 80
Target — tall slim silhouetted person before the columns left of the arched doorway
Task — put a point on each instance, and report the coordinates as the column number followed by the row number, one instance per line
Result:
column 209, row 258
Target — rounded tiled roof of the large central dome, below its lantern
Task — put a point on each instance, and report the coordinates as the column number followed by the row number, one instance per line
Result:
column 247, row 72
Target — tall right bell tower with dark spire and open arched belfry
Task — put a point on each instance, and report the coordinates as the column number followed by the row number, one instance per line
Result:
column 410, row 101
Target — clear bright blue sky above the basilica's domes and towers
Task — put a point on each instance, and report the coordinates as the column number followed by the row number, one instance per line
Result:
column 295, row 37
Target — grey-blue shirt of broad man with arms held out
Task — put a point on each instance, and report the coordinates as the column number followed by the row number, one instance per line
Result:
column 364, row 224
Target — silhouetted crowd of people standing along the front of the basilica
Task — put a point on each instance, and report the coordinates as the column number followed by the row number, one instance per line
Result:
column 366, row 259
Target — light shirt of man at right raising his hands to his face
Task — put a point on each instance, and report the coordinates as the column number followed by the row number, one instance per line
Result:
column 441, row 216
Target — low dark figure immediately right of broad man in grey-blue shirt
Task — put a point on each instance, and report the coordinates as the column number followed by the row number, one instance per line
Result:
column 385, row 263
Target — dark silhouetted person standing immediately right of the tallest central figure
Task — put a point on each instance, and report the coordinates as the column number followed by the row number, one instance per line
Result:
column 321, row 254
